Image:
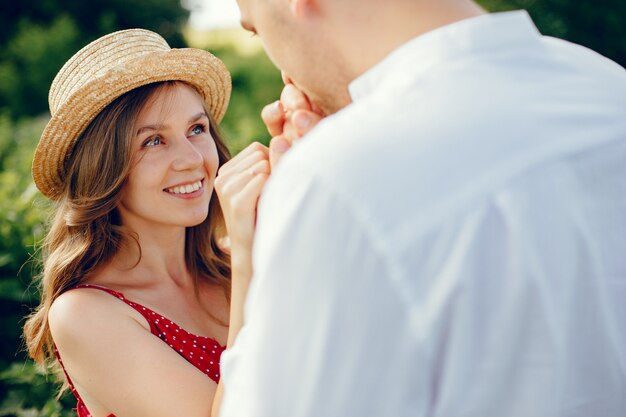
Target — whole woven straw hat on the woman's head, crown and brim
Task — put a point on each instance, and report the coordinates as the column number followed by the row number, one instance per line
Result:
column 103, row 71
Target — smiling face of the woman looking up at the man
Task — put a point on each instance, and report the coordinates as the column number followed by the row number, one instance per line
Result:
column 174, row 164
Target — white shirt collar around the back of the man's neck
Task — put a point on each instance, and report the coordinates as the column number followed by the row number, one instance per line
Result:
column 487, row 32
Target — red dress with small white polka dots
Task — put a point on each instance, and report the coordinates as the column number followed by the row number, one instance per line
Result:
column 202, row 352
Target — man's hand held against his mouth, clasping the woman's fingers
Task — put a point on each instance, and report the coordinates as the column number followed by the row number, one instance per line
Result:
column 288, row 119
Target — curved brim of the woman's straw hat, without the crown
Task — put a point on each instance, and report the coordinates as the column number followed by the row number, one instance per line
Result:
column 199, row 68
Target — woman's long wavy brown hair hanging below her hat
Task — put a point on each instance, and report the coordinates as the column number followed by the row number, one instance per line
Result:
column 86, row 230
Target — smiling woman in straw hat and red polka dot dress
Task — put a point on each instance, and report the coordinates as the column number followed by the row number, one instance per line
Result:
column 136, row 285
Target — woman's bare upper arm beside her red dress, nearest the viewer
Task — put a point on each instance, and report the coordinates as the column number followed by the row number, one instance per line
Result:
column 138, row 375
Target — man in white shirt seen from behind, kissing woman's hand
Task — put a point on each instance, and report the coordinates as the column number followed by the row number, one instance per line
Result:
column 449, row 240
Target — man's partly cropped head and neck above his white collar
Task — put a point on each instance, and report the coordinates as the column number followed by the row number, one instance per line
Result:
column 322, row 45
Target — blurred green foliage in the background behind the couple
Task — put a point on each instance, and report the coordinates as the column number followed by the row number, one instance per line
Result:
column 38, row 36
